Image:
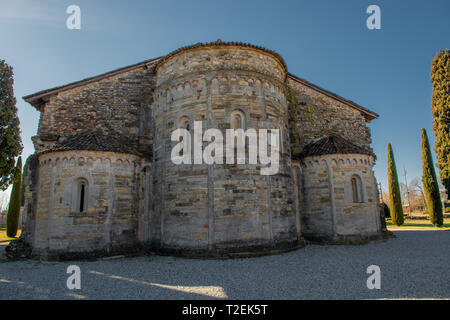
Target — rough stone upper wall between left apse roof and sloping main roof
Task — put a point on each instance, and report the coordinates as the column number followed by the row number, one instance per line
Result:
column 119, row 105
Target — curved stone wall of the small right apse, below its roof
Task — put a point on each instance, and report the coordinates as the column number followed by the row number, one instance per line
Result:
column 325, row 198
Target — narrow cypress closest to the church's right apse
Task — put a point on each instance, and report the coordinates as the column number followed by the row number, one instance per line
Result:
column 394, row 190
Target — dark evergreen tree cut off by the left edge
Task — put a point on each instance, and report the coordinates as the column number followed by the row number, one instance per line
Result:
column 10, row 142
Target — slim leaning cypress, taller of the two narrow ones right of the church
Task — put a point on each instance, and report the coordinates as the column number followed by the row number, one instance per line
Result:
column 430, row 185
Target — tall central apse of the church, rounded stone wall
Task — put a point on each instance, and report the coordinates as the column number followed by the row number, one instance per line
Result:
column 215, row 207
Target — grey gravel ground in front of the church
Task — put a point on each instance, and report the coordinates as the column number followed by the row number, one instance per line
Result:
column 413, row 265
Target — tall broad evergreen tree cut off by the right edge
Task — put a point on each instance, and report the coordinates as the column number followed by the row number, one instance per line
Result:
column 440, row 108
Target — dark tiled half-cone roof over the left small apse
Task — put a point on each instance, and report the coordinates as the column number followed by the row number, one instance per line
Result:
column 91, row 141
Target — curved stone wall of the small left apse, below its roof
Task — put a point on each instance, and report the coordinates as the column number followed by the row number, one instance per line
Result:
column 111, row 220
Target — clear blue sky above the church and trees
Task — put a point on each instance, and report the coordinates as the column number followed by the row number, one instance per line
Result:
column 324, row 42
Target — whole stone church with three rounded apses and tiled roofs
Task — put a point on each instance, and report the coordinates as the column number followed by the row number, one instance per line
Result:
column 102, row 182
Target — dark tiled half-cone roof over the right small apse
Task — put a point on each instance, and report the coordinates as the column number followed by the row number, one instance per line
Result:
column 332, row 145
